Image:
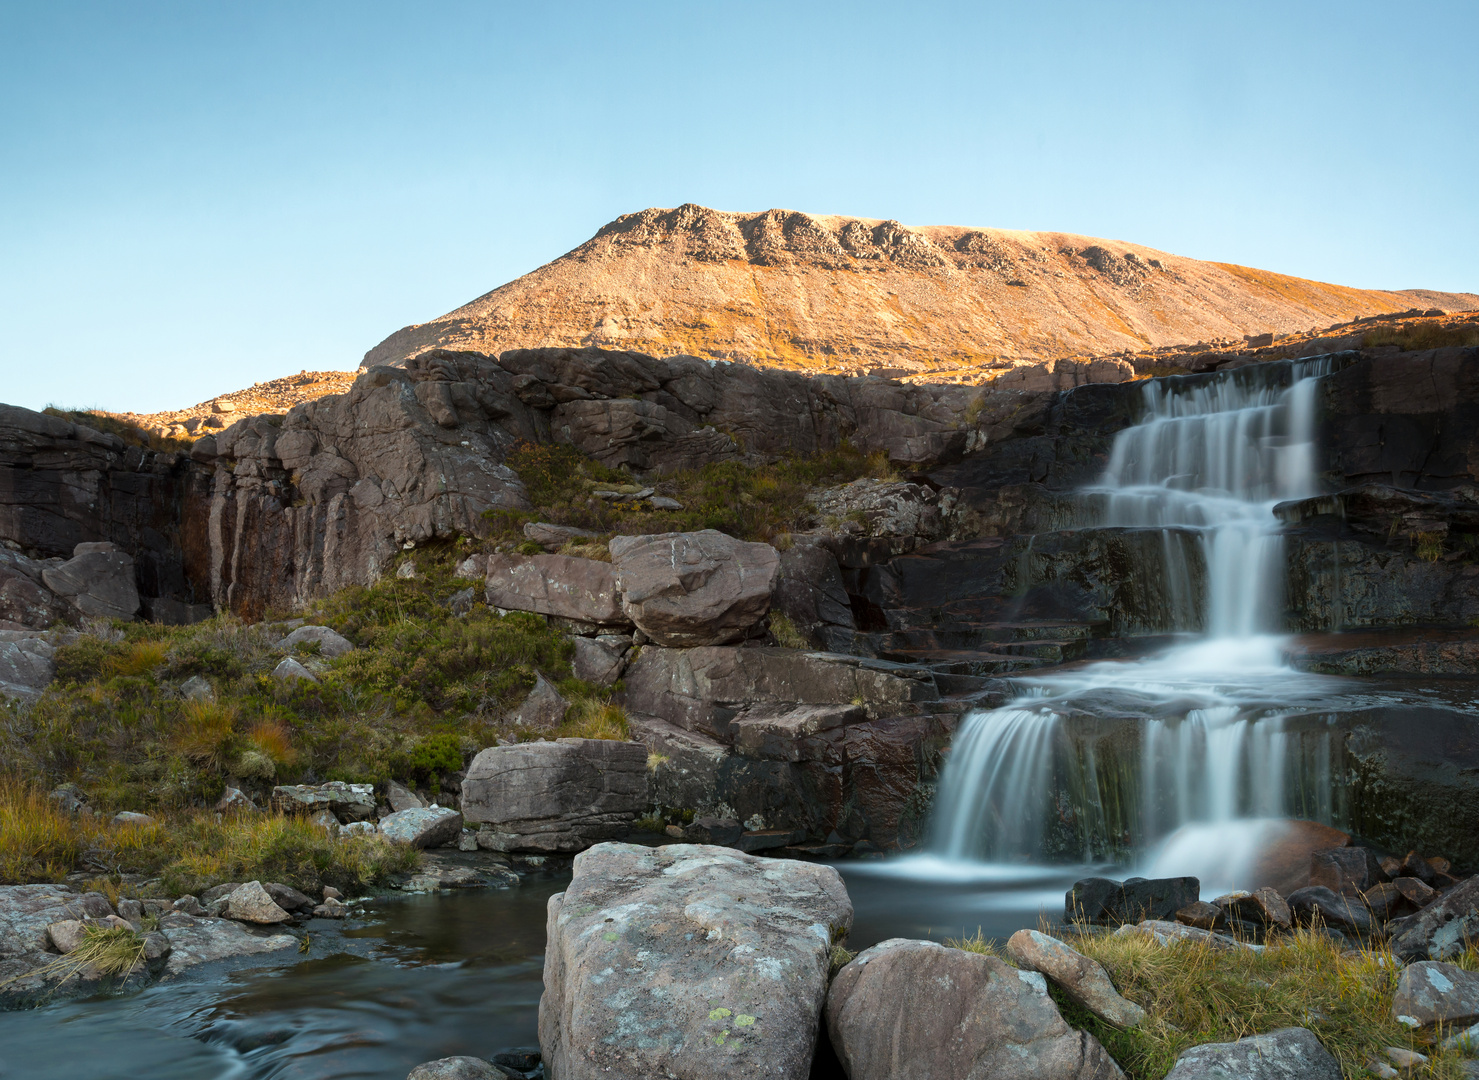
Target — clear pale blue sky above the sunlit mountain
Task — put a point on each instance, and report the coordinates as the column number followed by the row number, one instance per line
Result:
column 200, row 196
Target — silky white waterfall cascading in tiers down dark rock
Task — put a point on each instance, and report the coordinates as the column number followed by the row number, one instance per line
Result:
column 1216, row 757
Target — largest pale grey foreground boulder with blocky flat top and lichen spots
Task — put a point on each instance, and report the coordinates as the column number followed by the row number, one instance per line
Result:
column 687, row 961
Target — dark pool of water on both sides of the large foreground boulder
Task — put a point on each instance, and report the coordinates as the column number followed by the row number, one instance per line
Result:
column 427, row 977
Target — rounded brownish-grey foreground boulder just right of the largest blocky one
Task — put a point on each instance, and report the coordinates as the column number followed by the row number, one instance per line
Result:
column 916, row 1010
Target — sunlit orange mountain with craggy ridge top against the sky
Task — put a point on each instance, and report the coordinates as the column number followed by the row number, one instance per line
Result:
column 828, row 294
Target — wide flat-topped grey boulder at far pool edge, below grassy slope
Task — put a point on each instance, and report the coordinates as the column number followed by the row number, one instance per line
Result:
column 555, row 797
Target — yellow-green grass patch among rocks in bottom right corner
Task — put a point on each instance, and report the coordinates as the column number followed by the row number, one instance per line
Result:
column 1200, row 995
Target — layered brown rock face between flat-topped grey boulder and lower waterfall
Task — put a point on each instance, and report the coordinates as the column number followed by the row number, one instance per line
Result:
column 805, row 740
